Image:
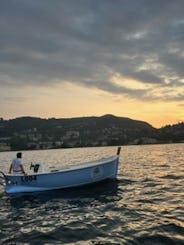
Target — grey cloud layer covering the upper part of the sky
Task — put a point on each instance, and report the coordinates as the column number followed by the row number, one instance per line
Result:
column 85, row 42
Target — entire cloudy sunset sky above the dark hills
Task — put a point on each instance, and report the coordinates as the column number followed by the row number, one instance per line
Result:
column 75, row 58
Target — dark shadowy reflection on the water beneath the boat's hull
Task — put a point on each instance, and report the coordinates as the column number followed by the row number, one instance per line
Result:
column 104, row 191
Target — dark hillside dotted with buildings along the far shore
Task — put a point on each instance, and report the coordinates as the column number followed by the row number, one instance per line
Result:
column 36, row 133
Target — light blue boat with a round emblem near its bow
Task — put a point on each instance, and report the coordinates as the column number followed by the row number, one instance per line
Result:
column 70, row 176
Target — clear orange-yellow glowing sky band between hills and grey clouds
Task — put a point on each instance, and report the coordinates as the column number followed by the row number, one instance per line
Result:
column 76, row 101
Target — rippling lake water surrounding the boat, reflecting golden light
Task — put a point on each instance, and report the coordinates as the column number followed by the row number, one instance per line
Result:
column 144, row 206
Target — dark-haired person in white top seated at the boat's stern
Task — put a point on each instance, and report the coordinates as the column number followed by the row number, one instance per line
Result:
column 17, row 165
